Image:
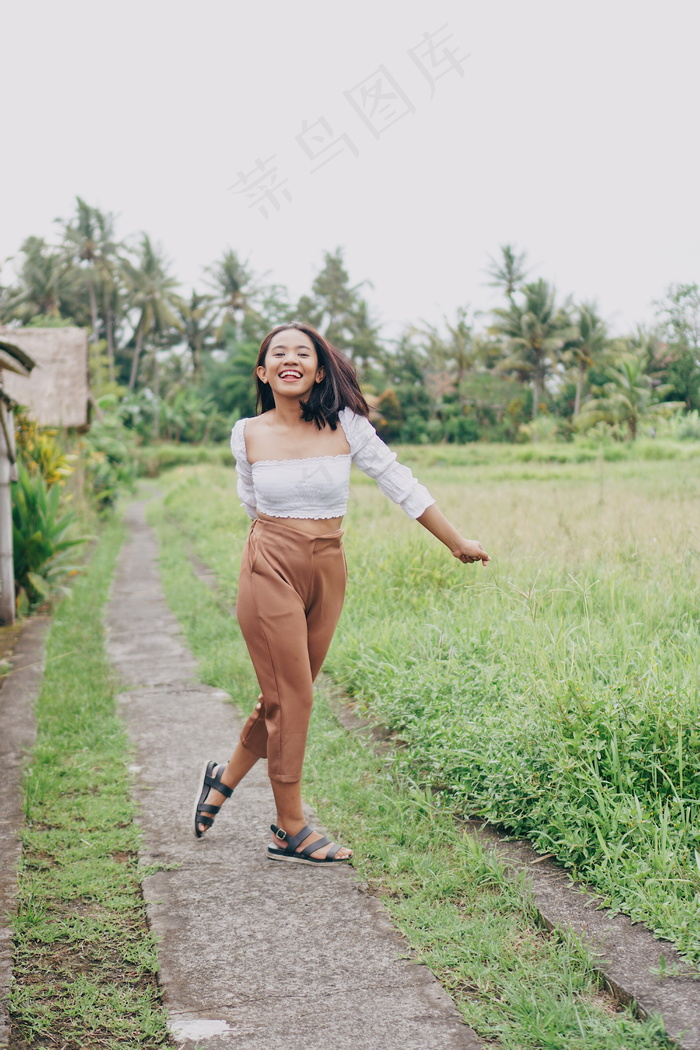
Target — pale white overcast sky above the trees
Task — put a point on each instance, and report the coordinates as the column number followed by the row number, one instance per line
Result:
column 568, row 130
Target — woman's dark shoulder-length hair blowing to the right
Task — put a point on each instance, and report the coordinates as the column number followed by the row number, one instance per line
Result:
column 338, row 390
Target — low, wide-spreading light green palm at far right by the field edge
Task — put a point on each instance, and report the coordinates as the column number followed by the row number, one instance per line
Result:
column 628, row 398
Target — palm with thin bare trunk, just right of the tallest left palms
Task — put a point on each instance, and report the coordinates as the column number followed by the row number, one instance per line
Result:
column 152, row 292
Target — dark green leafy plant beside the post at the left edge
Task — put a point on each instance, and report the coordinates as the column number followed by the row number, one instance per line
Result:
column 39, row 540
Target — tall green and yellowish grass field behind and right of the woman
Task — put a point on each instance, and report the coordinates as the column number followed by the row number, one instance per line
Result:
column 556, row 692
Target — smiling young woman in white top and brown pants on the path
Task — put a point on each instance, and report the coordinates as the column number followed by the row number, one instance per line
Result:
column 293, row 463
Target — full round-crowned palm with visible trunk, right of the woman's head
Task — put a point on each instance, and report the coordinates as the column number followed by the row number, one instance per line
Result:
column 536, row 332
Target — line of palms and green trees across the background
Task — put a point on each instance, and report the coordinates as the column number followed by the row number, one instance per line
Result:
column 179, row 366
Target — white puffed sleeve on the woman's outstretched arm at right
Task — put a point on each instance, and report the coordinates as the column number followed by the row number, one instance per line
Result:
column 377, row 460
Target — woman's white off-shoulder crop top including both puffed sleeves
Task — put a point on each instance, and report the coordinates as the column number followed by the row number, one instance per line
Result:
column 319, row 487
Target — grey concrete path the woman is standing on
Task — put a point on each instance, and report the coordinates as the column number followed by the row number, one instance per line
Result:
column 252, row 955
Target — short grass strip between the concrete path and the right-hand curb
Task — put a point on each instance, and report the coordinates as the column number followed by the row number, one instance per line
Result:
column 477, row 930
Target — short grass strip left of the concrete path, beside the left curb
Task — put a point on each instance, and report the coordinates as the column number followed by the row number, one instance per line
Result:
column 84, row 960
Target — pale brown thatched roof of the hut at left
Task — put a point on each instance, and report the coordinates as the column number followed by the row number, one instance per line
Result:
column 56, row 393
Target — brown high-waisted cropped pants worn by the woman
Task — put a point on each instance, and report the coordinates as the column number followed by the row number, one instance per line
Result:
column 291, row 594
